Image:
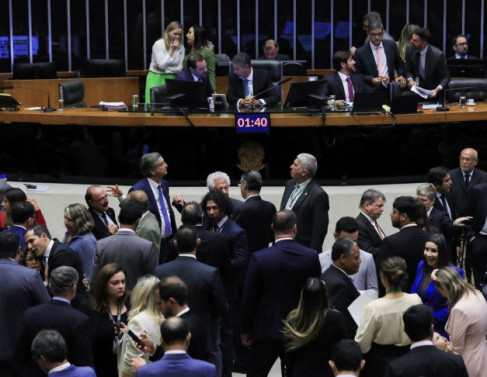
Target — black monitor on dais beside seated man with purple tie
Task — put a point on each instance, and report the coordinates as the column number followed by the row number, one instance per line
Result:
column 306, row 94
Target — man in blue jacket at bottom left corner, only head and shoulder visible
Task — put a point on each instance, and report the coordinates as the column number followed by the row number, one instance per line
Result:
column 49, row 350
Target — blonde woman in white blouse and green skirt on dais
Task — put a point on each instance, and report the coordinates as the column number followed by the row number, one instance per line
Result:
column 167, row 58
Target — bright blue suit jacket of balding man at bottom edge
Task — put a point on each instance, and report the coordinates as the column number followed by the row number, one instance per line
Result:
column 177, row 365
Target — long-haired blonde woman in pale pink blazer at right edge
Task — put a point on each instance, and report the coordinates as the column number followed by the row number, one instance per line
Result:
column 467, row 323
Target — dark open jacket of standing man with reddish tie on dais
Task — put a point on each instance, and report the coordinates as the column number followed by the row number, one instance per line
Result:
column 365, row 62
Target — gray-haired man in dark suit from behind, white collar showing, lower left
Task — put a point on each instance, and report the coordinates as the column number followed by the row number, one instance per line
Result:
column 58, row 315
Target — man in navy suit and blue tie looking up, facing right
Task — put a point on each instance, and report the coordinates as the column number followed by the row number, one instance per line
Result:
column 154, row 169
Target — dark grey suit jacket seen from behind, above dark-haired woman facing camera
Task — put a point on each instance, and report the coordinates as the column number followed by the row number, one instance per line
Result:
column 136, row 255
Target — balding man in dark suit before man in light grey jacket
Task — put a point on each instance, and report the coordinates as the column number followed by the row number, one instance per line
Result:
column 345, row 255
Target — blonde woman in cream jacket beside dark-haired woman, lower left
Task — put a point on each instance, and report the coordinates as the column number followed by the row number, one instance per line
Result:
column 143, row 317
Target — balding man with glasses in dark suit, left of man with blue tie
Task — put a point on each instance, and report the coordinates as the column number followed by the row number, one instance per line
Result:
column 103, row 216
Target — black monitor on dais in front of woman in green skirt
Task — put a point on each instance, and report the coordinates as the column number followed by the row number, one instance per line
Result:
column 186, row 93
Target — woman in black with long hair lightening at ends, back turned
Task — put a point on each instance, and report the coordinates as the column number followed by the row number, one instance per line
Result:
column 311, row 330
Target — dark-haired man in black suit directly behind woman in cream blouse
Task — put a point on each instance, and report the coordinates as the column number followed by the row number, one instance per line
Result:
column 409, row 242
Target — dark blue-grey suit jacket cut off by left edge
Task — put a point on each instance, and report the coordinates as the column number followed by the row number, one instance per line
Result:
column 20, row 289
